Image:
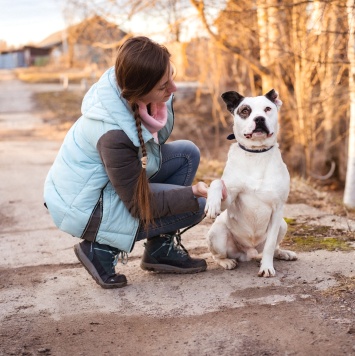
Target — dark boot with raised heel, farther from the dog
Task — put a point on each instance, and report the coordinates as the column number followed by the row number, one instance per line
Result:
column 100, row 260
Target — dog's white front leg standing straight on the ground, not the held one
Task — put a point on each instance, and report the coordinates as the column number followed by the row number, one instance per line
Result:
column 267, row 261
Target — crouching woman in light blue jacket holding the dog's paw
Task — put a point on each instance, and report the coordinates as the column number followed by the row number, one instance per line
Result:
column 115, row 179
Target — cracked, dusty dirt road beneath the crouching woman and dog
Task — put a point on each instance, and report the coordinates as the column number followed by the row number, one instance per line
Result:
column 49, row 305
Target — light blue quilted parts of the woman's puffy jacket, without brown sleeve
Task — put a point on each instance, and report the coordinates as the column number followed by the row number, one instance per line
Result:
column 77, row 180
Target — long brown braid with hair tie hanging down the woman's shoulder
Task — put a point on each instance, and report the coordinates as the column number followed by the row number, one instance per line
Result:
column 142, row 196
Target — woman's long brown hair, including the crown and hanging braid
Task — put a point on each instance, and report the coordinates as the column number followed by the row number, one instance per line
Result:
column 140, row 64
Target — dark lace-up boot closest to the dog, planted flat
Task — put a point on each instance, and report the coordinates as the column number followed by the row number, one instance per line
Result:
column 166, row 254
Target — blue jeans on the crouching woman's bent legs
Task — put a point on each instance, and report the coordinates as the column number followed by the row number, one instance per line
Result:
column 180, row 160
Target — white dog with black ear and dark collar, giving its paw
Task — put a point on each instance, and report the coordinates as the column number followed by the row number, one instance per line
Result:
column 256, row 183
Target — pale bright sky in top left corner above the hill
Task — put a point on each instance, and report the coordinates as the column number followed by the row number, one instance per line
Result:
column 29, row 21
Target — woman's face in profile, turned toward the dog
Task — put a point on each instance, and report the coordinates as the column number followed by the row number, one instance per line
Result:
column 163, row 89
